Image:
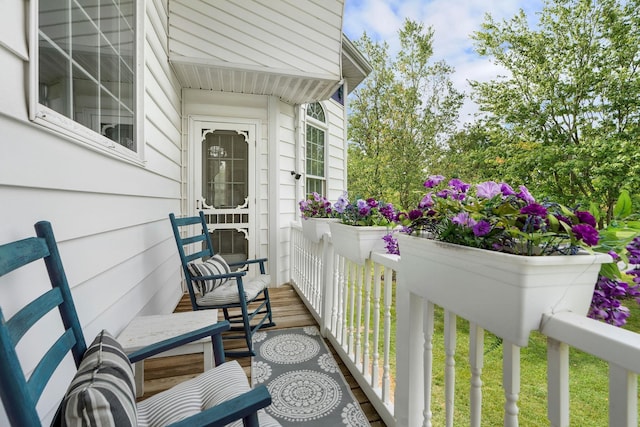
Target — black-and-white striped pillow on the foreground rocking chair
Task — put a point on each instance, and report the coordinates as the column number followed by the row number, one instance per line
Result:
column 102, row 391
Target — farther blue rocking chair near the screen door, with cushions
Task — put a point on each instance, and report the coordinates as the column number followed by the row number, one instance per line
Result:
column 212, row 284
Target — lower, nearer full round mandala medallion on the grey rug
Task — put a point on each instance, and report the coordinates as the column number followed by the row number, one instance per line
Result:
column 303, row 395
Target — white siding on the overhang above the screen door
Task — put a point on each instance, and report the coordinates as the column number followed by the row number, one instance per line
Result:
column 286, row 37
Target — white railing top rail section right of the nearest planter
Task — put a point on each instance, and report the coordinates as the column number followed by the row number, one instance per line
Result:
column 609, row 343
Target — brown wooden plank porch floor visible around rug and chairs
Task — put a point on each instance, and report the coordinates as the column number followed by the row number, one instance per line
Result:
column 289, row 312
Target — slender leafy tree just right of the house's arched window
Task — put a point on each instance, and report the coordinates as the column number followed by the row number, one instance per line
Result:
column 405, row 109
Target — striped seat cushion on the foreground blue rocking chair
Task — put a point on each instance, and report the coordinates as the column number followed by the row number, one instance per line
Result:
column 207, row 390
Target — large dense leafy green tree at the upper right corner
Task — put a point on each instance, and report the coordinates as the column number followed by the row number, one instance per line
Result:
column 570, row 102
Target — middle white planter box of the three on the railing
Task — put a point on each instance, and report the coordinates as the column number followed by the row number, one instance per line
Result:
column 357, row 242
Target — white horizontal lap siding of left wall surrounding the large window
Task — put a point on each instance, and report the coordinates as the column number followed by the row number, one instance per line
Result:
column 110, row 216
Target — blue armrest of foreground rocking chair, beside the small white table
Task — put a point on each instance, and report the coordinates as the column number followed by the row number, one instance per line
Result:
column 214, row 331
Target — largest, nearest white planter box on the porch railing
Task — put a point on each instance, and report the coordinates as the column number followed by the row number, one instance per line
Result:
column 503, row 293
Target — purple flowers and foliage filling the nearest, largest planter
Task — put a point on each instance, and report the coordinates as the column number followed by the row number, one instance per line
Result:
column 496, row 217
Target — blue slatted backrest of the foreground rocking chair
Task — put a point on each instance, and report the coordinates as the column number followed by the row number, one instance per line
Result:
column 19, row 394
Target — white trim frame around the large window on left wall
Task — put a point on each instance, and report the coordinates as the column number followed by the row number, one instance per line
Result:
column 71, row 130
